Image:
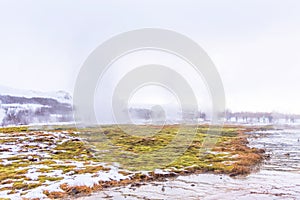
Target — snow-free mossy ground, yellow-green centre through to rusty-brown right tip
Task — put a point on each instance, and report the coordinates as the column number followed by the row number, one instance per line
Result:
column 230, row 145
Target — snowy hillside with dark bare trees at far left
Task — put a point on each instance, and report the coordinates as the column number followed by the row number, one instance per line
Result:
column 22, row 107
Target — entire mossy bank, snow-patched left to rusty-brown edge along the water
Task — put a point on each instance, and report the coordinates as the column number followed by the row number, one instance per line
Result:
column 59, row 163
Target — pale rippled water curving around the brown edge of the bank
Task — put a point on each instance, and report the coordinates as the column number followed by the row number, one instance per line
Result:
column 278, row 177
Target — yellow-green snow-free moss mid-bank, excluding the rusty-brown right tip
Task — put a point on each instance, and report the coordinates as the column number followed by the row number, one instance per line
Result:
column 133, row 149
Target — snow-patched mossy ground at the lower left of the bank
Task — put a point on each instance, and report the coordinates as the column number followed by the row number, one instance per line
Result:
column 31, row 155
